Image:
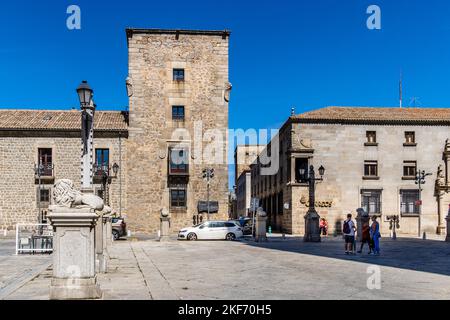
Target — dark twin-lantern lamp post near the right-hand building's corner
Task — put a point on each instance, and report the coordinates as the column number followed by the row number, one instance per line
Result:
column 312, row 229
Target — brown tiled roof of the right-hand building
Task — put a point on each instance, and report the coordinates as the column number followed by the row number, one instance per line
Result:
column 376, row 114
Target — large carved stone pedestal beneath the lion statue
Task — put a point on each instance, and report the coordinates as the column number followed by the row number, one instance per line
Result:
column 74, row 254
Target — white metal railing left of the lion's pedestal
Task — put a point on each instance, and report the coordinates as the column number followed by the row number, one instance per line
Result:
column 34, row 238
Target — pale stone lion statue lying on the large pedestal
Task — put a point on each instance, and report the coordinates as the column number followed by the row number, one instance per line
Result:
column 65, row 195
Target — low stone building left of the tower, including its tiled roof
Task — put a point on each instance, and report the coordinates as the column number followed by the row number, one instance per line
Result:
column 53, row 138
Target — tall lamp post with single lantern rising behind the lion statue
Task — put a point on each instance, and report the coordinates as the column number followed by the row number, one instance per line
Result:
column 85, row 94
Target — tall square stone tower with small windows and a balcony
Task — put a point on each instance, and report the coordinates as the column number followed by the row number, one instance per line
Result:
column 179, row 93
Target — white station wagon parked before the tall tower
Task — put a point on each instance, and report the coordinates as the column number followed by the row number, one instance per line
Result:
column 212, row 230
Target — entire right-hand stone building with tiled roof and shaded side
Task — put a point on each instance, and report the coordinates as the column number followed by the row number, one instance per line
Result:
column 371, row 156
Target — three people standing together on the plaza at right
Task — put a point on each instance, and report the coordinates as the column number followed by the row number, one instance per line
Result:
column 370, row 235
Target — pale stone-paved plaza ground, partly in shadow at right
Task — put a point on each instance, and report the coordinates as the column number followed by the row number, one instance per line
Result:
column 278, row 269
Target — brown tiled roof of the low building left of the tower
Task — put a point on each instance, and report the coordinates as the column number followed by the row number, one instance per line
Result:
column 60, row 120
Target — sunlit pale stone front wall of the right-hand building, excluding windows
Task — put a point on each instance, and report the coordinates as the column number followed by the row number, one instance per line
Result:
column 341, row 150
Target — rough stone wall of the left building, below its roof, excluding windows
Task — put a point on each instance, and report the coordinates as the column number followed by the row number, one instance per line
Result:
column 18, row 186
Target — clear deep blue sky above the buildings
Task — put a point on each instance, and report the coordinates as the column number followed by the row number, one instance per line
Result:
column 307, row 54
